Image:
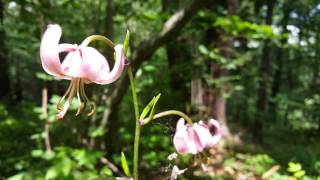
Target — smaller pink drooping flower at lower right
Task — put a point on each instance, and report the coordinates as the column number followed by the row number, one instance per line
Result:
column 195, row 138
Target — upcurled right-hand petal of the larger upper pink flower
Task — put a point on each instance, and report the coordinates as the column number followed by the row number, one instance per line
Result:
column 117, row 69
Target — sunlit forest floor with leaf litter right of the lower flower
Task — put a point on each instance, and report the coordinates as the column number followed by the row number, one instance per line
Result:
column 283, row 155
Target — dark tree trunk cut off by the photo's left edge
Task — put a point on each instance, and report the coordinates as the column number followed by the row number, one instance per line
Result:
column 4, row 73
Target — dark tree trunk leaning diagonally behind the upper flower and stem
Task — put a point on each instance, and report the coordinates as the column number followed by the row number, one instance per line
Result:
column 146, row 49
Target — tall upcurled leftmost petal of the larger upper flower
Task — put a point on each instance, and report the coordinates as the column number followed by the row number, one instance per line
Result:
column 49, row 52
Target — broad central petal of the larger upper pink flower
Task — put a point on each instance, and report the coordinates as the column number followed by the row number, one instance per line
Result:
column 94, row 64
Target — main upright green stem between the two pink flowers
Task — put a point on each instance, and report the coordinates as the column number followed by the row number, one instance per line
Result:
column 137, row 129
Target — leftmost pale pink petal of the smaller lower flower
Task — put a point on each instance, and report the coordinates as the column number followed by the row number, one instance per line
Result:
column 183, row 138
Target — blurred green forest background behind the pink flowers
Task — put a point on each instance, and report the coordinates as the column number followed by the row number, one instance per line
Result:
column 252, row 65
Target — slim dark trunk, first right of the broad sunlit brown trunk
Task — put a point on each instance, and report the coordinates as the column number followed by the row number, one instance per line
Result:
column 263, row 86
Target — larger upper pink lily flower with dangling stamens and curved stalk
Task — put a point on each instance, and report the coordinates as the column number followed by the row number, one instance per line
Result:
column 82, row 65
